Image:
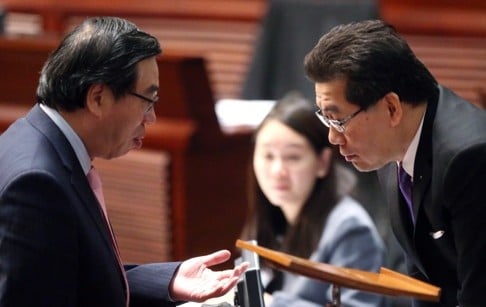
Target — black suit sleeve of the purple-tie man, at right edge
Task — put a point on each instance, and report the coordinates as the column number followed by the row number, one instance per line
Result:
column 464, row 190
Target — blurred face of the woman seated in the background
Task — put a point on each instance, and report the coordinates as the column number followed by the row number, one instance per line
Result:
column 286, row 167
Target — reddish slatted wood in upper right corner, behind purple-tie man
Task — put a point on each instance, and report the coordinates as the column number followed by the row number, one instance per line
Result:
column 449, row 37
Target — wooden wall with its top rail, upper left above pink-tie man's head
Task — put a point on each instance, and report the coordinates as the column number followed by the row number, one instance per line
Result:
column 221, row 31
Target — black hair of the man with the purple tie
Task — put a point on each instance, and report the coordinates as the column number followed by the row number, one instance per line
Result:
column 373, row 60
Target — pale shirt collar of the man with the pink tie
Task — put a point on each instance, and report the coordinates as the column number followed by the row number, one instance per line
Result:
column 73, row 139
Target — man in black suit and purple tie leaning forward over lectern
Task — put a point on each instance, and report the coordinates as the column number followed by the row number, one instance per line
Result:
column 386, row 111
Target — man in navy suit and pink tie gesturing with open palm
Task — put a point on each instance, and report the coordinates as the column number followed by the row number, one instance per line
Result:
column 96, row 94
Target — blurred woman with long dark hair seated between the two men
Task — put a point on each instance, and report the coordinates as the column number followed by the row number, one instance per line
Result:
column 299, row 205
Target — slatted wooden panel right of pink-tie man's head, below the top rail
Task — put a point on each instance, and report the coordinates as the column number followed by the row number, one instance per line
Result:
column 226, row 46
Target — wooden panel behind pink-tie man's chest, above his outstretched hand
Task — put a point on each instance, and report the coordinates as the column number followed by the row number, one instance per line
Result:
column 136, row 189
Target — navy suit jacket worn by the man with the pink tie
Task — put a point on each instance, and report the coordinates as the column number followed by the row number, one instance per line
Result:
column 55, row 249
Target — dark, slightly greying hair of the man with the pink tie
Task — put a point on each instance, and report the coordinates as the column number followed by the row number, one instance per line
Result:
column 101, row 50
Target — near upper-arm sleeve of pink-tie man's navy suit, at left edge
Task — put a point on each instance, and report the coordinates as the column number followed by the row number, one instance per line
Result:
column 36, row 236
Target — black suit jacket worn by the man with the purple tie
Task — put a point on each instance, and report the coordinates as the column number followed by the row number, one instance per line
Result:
column 447, row 245
